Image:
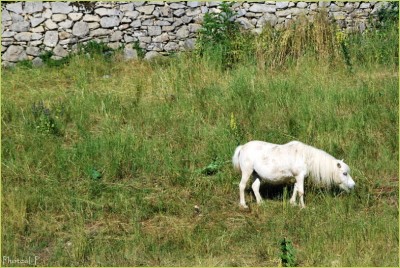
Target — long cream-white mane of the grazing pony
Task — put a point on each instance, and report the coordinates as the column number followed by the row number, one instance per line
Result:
column 321, row 165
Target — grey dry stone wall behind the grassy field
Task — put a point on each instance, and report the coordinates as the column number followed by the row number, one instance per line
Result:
column 159, row 27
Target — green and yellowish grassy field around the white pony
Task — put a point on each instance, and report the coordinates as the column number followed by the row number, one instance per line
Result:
column 104, row 161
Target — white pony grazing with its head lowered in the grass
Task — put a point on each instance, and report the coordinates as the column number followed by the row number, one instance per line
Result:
column 278, row 164
